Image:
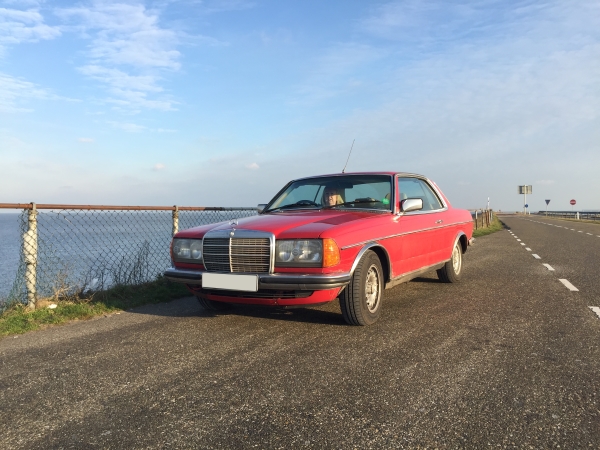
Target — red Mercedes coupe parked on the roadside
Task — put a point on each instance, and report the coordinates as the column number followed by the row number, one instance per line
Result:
column 346, row 236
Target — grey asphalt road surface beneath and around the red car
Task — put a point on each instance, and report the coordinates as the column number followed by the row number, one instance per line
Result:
column 508, row 358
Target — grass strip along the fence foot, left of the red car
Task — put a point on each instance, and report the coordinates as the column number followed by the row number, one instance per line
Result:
column 18, row 319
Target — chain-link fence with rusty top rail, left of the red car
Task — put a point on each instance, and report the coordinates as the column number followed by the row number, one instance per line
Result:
column 67, row 250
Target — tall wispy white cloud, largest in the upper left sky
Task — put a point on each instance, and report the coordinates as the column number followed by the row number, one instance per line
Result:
column 129, row 51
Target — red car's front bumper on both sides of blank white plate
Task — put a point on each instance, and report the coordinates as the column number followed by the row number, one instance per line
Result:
column 273, row 281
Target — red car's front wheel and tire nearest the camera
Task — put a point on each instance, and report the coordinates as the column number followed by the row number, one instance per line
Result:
column 360, row 301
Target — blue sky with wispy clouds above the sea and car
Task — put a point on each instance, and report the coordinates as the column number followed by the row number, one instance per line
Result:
column 219, row 103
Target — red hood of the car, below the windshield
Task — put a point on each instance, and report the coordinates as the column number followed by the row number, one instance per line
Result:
column 290, row 224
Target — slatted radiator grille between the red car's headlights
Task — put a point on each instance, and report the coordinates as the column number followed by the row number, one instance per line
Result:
column 252, row 255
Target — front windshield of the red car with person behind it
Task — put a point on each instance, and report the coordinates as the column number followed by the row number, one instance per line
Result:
column 339, row 192
